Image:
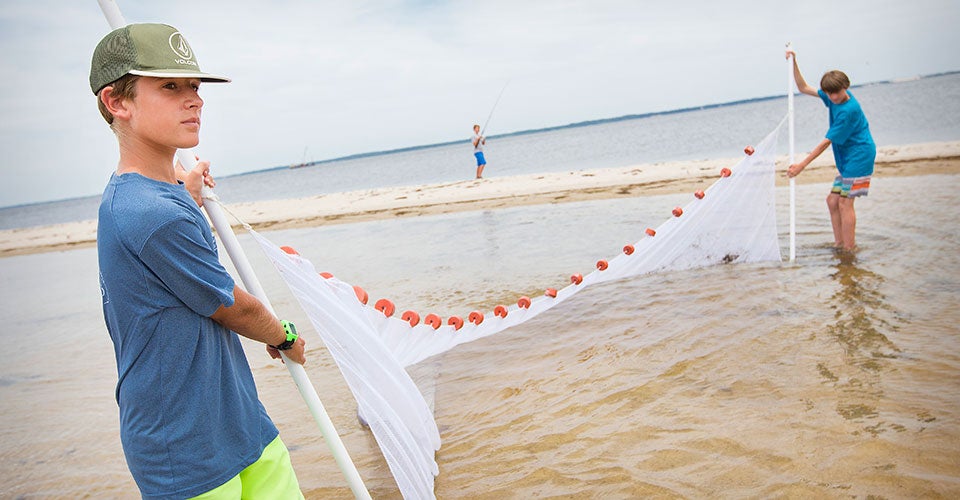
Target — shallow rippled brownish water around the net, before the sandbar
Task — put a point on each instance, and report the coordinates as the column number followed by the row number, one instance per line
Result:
column 824, row 378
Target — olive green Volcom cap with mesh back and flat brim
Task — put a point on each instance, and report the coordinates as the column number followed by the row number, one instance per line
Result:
column 146, row 50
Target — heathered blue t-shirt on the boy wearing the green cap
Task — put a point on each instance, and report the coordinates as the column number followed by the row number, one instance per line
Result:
column 190, row 418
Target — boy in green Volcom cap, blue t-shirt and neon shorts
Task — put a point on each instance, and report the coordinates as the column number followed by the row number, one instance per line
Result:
column 191, row 423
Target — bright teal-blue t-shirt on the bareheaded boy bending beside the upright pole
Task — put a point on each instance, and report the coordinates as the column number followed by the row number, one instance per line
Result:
column 849, row 134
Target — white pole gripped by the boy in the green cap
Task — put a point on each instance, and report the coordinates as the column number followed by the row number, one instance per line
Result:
column 116, row 20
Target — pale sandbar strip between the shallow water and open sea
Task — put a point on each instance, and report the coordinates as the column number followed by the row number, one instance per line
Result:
column 498, row 192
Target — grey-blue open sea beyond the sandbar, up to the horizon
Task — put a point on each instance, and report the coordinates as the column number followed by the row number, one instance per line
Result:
column 922, row 110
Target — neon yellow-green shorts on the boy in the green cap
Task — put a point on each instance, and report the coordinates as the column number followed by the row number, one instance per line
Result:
column 271, row 476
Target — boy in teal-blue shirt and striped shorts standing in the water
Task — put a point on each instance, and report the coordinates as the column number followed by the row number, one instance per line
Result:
column 853, row 150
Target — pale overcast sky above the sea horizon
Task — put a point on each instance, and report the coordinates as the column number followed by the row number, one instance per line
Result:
column 333, row 78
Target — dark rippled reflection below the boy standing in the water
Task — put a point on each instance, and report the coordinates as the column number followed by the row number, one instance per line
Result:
column 859, row 328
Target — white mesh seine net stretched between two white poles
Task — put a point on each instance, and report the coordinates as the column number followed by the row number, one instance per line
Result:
column 734, row 222
